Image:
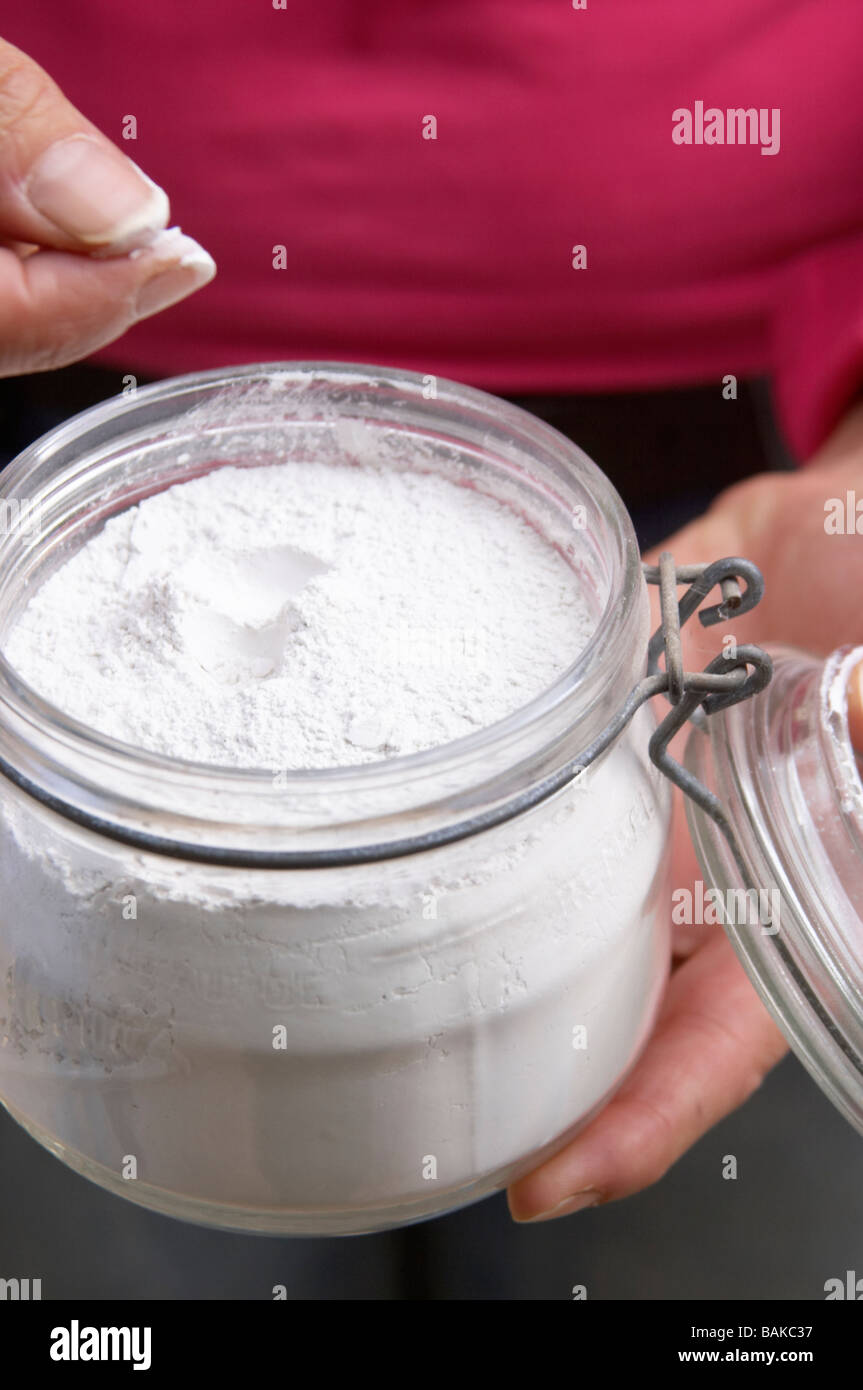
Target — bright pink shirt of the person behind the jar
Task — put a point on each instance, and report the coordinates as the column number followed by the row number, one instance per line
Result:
column 304, row 129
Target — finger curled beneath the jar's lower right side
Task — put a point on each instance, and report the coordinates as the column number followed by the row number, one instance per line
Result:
column 714, row 1046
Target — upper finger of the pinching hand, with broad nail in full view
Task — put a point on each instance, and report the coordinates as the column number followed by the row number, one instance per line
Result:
column 63, row 184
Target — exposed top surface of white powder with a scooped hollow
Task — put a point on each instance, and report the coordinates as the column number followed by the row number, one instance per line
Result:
column 305, row 615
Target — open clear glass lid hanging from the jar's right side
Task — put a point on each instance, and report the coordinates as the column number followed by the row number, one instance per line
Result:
column 786, row 772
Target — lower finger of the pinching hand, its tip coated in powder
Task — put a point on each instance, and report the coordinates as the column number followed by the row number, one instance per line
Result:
column 56, row 308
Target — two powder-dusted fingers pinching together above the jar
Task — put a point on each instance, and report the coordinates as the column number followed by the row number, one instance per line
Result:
column 84, row 250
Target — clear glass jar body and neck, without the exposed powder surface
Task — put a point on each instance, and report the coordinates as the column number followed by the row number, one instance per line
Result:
column 340, row 1000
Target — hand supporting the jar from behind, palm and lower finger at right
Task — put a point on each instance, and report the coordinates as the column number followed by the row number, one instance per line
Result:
column 715, row 1043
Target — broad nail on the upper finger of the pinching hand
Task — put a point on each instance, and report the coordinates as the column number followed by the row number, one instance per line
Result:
column 92, row 193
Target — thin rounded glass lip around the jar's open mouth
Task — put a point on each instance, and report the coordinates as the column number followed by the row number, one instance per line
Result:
column 58, row 454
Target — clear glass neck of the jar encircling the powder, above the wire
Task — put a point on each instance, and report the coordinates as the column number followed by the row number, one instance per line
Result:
column 119, row 452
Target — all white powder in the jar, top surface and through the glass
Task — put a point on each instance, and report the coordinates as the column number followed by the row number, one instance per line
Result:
column 291, row 1052
